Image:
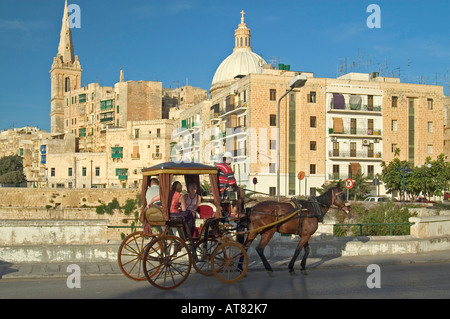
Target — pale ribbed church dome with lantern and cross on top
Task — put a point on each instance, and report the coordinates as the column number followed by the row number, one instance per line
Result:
column 242, row 61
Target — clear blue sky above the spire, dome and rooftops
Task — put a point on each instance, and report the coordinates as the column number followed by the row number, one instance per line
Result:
column 180, row 41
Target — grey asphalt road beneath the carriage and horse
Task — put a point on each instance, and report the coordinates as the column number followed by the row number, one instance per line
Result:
column 394, row 281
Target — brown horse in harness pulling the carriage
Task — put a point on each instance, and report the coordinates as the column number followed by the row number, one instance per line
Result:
column 304, row 223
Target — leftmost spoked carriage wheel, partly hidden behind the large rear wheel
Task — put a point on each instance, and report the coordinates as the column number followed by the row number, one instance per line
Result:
column 131, row 253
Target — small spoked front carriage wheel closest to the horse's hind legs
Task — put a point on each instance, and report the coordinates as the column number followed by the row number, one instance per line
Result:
column 225, row 262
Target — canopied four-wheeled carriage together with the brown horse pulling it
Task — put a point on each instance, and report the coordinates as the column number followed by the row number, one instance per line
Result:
column 164, row 259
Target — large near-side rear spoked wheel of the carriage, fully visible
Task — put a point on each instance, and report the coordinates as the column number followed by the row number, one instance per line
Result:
column 167, row 262
